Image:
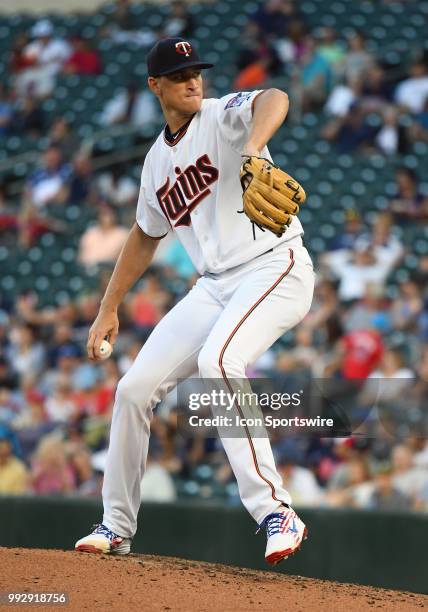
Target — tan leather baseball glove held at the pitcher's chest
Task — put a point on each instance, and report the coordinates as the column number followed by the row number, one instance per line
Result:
column 270, row 196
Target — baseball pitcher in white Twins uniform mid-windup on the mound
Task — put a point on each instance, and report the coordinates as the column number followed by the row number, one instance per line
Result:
column 256, row 282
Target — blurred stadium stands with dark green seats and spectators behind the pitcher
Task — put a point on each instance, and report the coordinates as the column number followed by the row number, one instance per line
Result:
column 75, row 123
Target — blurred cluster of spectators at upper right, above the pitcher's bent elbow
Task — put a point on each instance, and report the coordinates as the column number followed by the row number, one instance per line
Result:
column 373, row 105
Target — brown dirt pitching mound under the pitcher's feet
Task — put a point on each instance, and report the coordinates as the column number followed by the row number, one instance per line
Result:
column 143, row 582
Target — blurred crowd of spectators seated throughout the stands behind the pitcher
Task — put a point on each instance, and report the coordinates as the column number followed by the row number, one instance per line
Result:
column 55, row 406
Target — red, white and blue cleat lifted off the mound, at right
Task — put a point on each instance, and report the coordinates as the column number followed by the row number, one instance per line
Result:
column 285, row 533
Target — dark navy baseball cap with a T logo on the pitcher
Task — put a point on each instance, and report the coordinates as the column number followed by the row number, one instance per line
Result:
column 171, row 55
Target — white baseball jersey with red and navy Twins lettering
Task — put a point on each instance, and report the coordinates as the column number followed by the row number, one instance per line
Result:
column 191, row 185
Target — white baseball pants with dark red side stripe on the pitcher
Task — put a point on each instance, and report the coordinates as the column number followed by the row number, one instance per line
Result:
column 222, row 325
